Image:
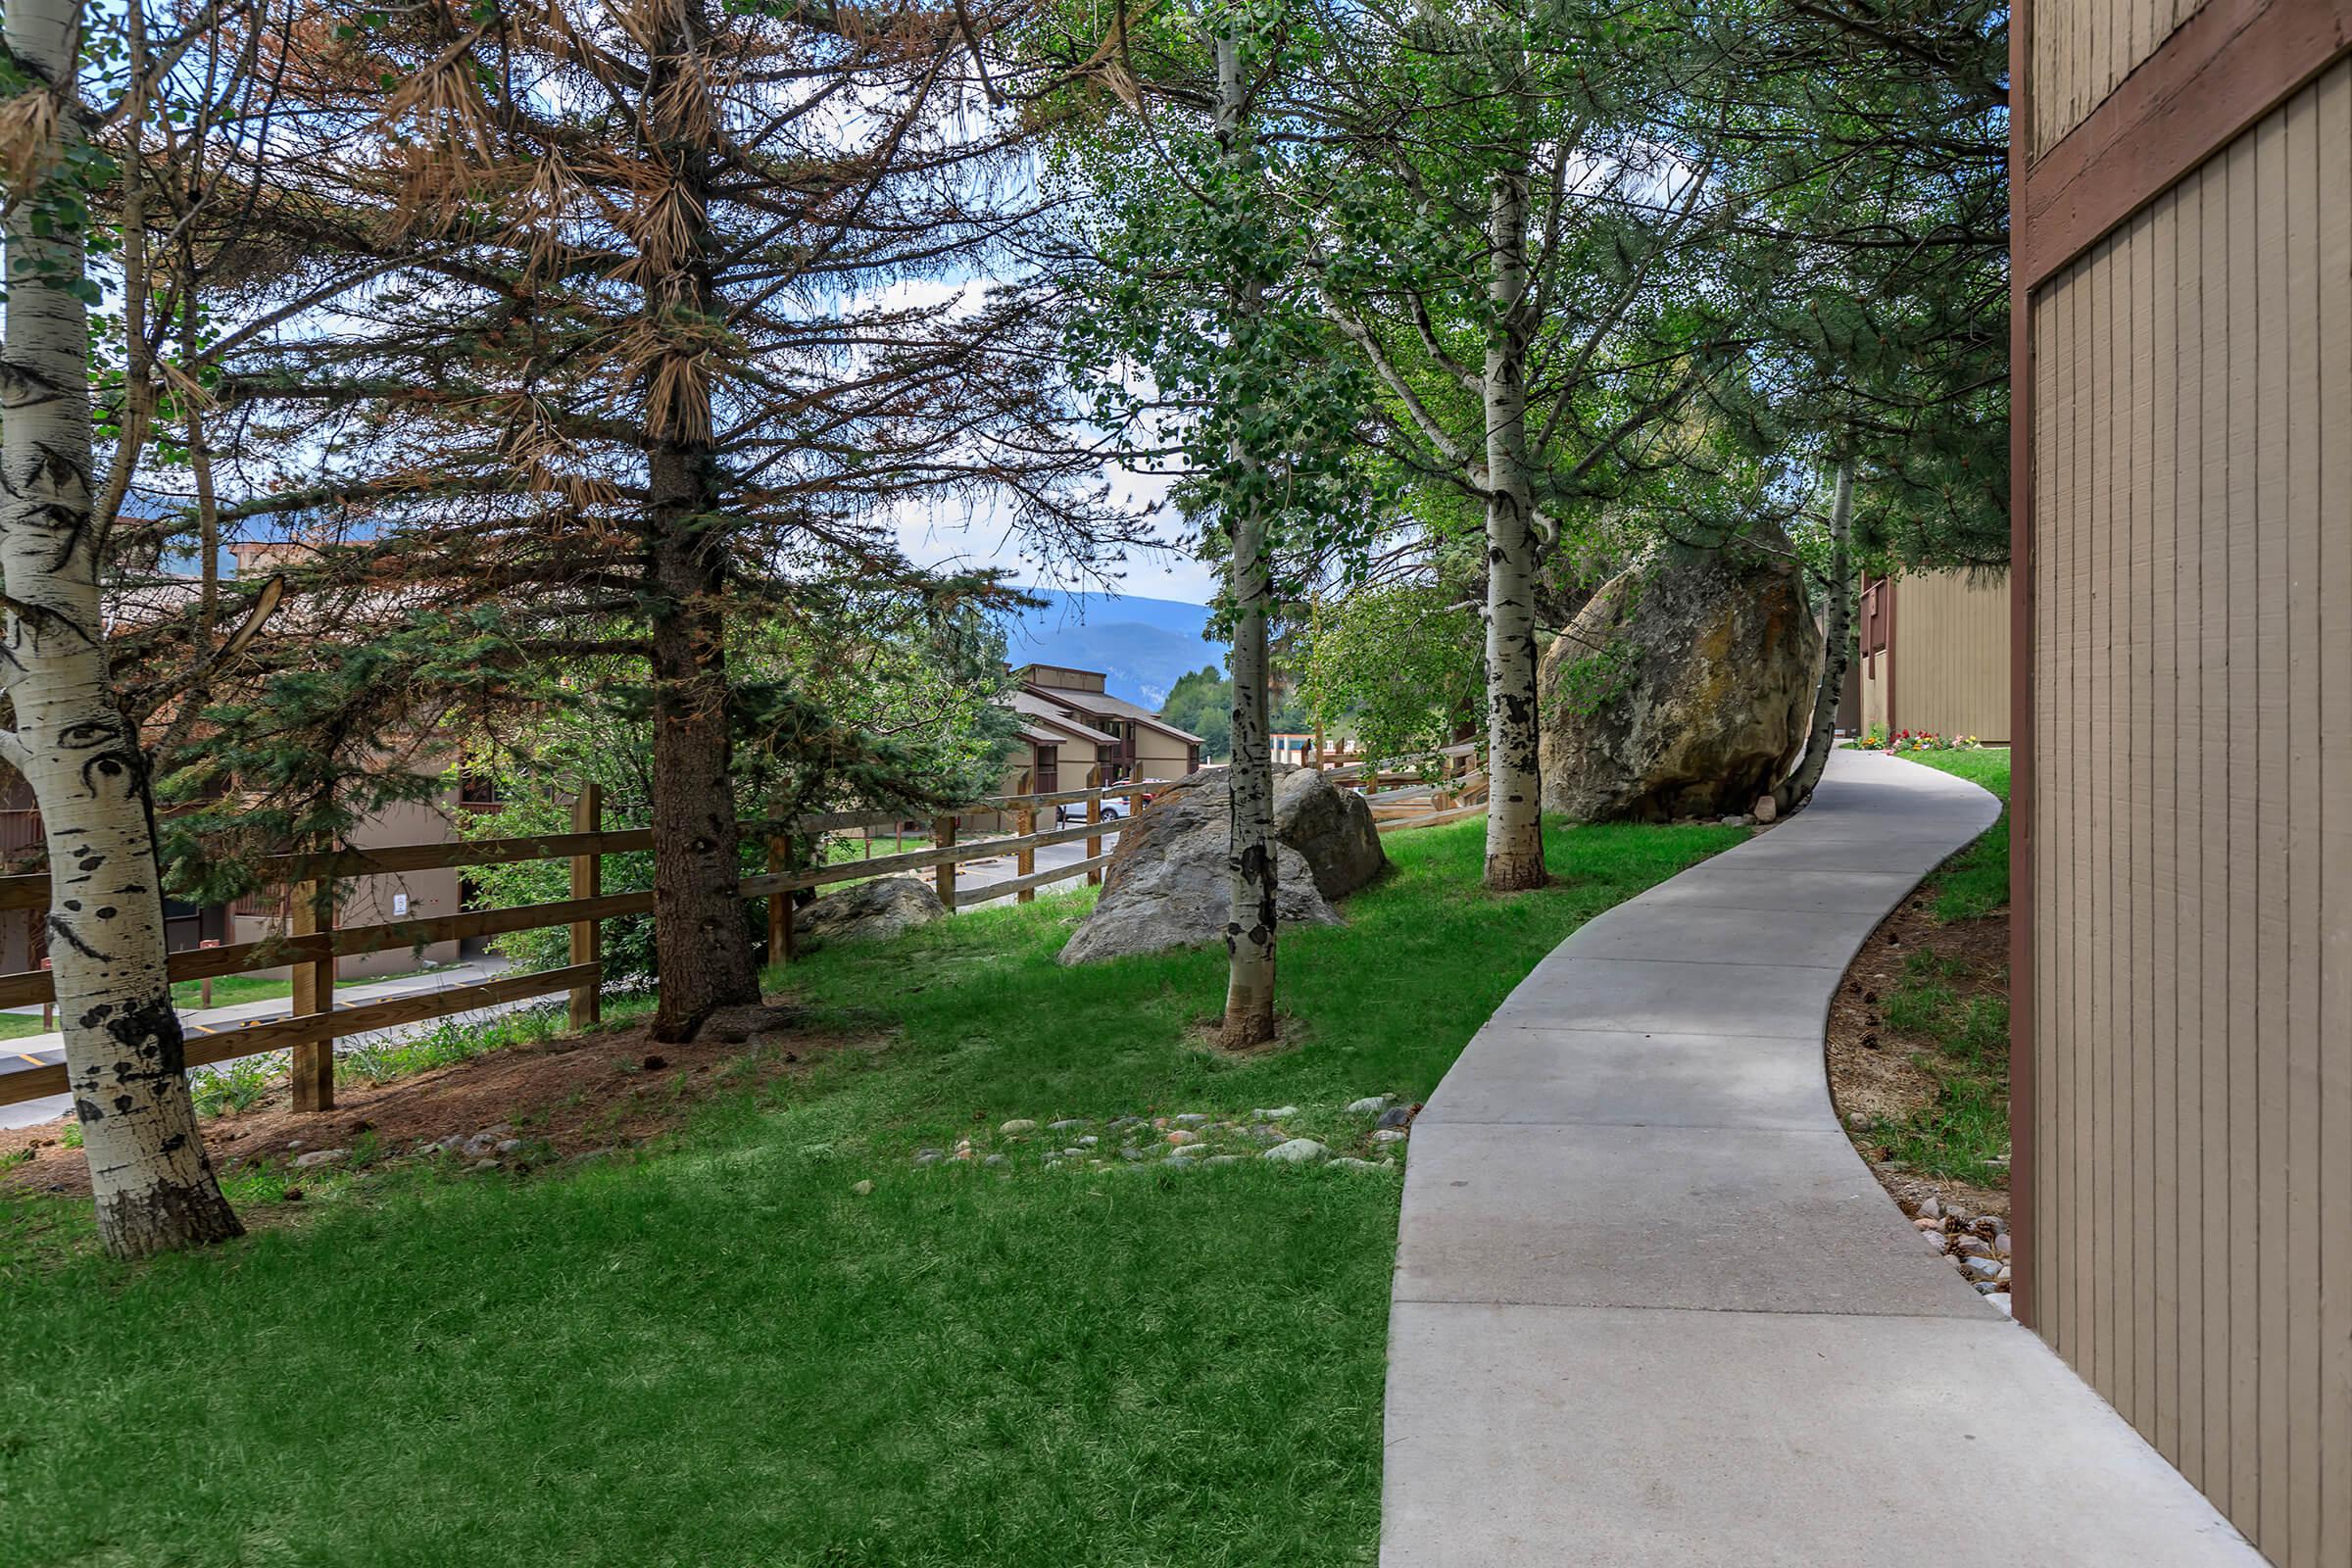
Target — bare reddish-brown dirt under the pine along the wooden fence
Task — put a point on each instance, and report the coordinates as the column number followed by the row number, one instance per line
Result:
column 559, row 1097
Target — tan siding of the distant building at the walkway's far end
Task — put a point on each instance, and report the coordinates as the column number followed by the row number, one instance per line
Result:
column 1951, row 655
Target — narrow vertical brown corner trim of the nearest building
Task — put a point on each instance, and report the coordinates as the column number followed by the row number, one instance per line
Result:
column 2022, row 697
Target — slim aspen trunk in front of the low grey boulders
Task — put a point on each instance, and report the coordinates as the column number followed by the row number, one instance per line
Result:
column 1250, row 857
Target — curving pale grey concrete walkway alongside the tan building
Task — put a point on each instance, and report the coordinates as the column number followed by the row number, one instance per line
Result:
column 1652, row 1308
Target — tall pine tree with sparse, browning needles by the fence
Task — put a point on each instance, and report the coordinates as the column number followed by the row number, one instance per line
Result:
column 657, row 354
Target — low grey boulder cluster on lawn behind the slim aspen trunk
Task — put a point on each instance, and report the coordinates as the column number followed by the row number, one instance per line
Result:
column 1165, row 885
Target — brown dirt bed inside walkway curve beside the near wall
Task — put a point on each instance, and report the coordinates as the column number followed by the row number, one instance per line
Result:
column 1873, row 1071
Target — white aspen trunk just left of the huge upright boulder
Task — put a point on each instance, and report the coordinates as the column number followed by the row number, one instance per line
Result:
column 1514, row 725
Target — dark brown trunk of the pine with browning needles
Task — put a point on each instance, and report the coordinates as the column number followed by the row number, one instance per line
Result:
column 700, row 934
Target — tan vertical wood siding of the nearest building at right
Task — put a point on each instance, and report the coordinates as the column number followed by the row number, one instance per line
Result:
column 2193, row 859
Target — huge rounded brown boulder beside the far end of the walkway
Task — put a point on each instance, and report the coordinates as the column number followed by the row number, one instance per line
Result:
column 1681, row 690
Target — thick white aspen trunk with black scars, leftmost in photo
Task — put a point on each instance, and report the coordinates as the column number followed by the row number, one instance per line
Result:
column 123, row 1047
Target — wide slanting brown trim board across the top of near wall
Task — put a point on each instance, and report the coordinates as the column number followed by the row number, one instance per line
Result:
column 2221, row 72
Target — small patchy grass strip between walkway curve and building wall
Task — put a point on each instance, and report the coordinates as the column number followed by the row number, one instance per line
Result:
column 1944, row 1007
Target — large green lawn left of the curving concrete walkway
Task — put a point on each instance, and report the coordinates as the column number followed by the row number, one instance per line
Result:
column 719, row 1353
